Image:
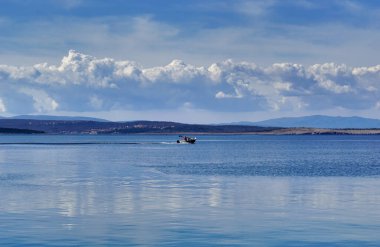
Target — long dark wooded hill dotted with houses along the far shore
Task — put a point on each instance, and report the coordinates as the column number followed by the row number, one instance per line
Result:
column 96, row 127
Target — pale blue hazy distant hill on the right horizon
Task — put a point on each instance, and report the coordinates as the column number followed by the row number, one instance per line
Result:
column 319, row 121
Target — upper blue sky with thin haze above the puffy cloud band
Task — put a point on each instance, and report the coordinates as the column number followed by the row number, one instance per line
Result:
column 198, row 32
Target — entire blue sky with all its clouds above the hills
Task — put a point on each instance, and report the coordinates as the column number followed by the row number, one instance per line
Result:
column 190, row 61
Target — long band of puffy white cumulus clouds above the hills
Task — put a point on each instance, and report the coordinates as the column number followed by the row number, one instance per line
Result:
column 86, row 83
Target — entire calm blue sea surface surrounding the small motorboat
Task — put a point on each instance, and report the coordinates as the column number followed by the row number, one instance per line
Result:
column 226, row 190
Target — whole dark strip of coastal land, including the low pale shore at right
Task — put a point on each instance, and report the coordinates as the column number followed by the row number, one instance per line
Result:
column 32, row 126
